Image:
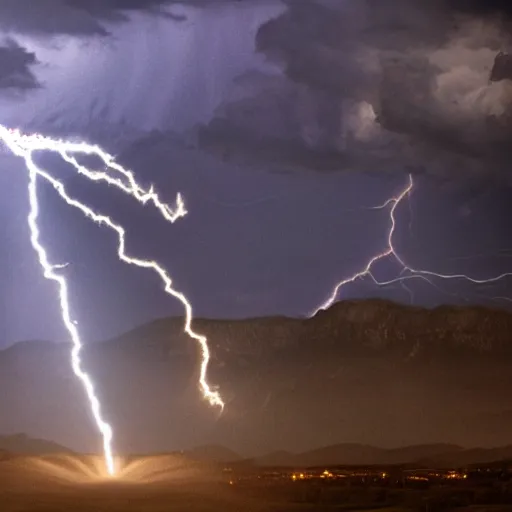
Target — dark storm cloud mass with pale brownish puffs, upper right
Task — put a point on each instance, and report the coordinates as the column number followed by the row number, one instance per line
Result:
column 375, row 85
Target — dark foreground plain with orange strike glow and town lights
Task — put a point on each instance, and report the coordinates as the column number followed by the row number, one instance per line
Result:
column 172, row 482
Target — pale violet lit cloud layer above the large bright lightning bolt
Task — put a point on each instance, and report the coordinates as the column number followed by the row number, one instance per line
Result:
column 131, row 63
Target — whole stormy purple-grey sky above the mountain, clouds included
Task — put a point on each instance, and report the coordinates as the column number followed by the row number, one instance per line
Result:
column 282, row 123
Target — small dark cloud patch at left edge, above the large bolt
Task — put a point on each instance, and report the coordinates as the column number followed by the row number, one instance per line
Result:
column 15, row 64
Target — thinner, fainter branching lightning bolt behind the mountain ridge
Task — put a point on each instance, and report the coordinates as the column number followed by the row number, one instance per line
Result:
column 407, row 271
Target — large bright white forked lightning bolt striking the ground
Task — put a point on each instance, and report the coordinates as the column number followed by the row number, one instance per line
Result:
column 24, row 146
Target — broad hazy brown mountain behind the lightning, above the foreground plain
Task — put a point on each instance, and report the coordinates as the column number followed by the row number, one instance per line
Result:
column 370, row 371
